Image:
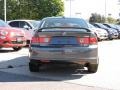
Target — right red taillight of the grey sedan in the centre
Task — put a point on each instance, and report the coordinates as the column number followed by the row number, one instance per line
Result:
column 87, row 40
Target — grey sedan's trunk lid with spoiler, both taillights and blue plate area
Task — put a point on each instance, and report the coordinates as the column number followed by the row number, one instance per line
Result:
column 69, row 37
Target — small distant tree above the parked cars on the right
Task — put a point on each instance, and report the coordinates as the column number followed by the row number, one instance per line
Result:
column 96, row 18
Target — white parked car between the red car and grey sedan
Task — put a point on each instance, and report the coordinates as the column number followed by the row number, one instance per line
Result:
column 29, row 26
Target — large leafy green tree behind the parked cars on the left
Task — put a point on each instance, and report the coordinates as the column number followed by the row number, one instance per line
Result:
column 33, row 9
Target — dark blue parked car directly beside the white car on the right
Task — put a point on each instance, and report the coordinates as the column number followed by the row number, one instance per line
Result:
column 111, row 34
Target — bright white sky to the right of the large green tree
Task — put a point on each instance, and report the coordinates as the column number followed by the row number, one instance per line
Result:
column 84, row 8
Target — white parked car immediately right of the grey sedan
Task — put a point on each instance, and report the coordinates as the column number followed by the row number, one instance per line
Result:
column 100, row 33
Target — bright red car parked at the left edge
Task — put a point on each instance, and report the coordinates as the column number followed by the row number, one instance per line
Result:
column 11, row 37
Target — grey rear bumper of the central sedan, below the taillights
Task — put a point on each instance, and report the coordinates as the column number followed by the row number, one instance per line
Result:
column 73, row 54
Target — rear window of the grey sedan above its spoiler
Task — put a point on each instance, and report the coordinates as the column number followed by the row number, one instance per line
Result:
column 64, row 22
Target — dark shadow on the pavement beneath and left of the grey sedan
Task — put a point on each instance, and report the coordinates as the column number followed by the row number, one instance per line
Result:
column 16, row 70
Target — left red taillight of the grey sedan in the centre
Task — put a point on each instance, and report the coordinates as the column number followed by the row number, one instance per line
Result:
column 41, row 40
